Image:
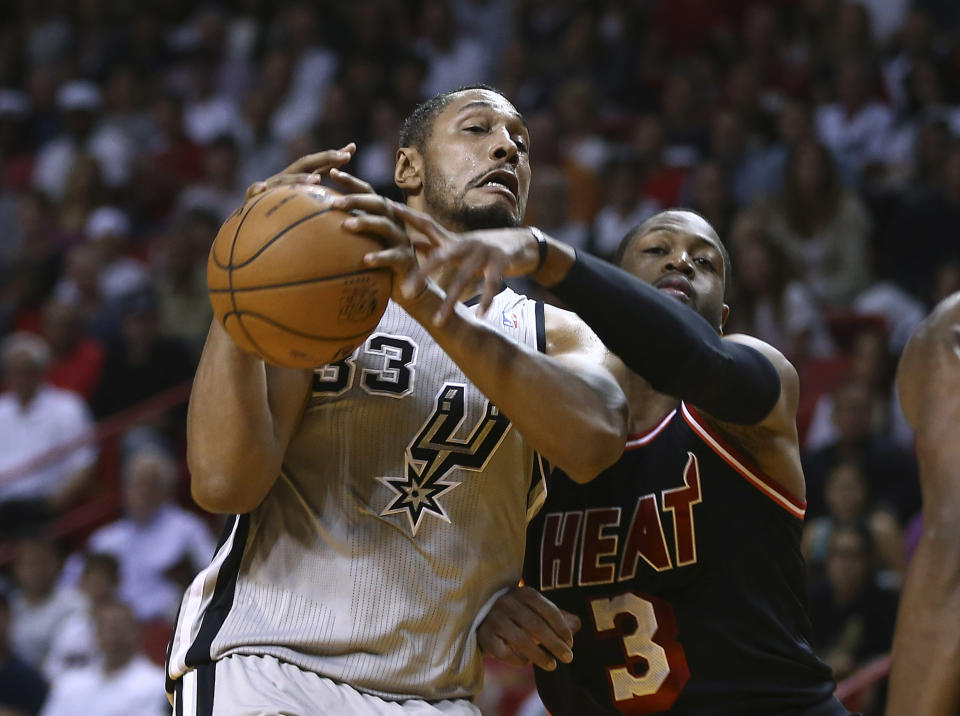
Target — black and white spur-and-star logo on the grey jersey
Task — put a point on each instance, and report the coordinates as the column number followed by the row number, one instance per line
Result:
column 435, row 452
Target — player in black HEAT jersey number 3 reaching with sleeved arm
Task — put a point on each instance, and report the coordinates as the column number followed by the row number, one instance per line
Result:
column 682, row 560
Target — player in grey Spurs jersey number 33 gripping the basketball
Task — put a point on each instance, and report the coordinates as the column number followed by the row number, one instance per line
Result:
column 379, row 504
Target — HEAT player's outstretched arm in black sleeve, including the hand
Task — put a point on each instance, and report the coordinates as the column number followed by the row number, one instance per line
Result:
column 674, row 349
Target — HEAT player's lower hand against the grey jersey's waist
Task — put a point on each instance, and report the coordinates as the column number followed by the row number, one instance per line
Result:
column 524, row 627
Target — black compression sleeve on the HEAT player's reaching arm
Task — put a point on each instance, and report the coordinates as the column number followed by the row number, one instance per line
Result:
column 669, row 344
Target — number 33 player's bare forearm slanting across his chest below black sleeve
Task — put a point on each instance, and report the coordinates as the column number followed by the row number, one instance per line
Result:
column 547, row 401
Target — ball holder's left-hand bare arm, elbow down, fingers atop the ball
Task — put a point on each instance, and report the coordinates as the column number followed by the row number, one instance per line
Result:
column 243, row 412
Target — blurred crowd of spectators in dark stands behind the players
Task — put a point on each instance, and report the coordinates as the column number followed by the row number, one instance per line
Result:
column 820, row 137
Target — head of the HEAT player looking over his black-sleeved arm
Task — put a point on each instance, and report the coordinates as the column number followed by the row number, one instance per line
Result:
column 679, row 255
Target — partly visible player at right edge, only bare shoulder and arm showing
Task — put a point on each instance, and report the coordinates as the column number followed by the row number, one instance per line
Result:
column 926, row 662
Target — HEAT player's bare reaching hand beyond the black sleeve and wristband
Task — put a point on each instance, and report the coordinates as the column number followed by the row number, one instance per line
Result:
column 488, row 255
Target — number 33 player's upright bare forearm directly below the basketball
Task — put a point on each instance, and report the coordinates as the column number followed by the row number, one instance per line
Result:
column 234, row 451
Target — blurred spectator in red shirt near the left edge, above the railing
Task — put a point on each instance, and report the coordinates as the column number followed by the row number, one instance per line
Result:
column 76, row 358
